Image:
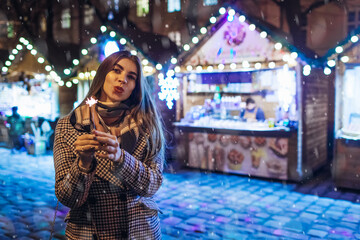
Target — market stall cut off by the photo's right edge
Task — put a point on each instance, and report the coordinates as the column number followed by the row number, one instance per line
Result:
column 346, row 166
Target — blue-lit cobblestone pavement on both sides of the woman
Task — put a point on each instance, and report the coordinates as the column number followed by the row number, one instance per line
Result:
column 195, row 205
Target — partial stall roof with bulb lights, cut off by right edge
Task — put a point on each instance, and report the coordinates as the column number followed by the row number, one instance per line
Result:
column 348, row 50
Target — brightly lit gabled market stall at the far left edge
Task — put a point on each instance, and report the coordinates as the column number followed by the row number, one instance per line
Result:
column 28, row 81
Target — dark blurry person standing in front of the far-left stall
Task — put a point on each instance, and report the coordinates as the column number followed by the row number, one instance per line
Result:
column 16, row 130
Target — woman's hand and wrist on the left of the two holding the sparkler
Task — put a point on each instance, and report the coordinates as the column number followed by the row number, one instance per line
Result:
column 86, row 145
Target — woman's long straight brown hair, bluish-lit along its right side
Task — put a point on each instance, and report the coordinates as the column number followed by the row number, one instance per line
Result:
column 142, row 105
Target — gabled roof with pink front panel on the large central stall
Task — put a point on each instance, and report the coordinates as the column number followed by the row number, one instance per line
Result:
column 234, row 38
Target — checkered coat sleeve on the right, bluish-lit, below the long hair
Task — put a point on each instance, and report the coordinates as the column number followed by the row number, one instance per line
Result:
column 145, row 176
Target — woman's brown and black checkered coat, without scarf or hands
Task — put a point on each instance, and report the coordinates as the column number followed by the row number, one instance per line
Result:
column 114, row 201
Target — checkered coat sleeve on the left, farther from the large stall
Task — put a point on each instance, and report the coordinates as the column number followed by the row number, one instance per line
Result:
column 71, row 185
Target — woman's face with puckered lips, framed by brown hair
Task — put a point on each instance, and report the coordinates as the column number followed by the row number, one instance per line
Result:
column 120, row 81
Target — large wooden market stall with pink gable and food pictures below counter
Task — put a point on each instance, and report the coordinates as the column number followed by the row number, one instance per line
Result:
column 233, row 60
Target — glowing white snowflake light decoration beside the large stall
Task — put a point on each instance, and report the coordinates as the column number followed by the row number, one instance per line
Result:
column 169, row 90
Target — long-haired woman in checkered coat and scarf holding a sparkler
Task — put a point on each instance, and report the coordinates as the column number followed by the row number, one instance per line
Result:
column 109, row 158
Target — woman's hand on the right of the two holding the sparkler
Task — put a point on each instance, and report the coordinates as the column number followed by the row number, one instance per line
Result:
column 110, row 145
